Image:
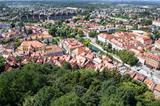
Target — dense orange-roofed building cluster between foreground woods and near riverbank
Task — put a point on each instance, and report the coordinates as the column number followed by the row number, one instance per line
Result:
column 69, row 50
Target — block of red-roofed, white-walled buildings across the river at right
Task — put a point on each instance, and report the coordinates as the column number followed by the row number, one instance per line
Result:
column 142, row 45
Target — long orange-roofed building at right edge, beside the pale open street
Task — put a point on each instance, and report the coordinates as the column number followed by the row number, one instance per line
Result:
column 152, row 60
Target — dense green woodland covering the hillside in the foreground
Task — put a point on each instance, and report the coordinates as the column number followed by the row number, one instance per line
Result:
column 47, row 85
